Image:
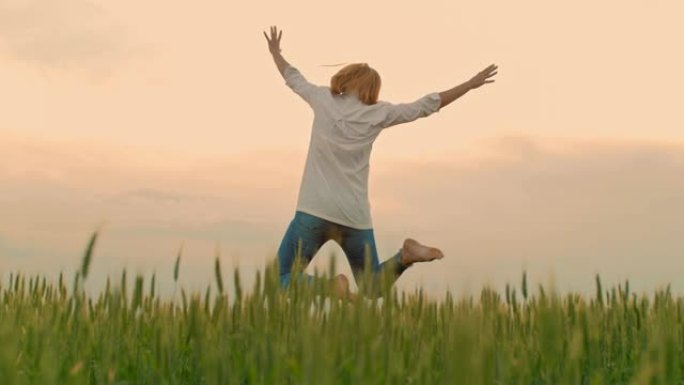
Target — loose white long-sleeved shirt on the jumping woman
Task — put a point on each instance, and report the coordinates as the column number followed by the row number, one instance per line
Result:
column 335, row 181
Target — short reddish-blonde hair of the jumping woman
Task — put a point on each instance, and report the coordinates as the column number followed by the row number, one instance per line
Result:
column 357, row 77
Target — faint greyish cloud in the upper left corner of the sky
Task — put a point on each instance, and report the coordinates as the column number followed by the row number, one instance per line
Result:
column 65, row 35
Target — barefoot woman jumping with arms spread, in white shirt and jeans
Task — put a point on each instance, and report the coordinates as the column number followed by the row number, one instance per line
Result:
column 333, row 196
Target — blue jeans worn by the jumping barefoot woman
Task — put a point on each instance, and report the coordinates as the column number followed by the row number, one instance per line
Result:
column 307, row 233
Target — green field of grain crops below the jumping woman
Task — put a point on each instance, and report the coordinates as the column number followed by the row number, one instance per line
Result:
column 55, row 333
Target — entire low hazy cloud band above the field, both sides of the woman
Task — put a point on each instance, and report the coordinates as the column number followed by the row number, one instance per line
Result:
column 576, row 207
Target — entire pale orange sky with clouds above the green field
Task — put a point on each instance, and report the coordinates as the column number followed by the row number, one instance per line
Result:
column 167, row 124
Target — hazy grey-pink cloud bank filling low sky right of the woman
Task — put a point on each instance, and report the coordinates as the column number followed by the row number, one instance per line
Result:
column 579, row 207
